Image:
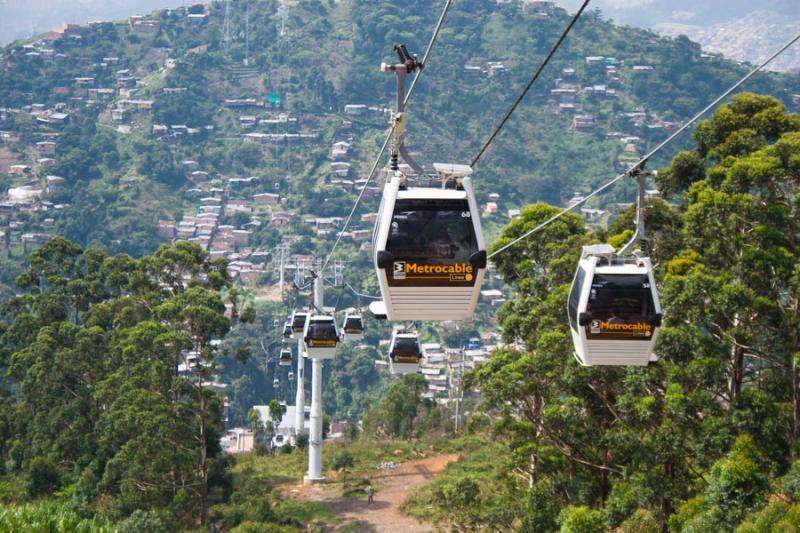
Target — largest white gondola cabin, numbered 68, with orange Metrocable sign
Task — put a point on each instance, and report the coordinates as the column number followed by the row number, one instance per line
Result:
column 430, row 255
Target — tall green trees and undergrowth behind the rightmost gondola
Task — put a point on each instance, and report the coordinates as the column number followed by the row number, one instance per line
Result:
column 704, row 440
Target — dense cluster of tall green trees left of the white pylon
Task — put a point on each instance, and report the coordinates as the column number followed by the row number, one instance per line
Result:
column 96, row 409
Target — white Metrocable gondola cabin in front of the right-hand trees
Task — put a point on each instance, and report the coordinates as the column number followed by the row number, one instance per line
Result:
column 613, row 307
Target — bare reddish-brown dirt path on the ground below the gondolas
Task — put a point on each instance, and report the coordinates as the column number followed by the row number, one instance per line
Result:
column 394, row 486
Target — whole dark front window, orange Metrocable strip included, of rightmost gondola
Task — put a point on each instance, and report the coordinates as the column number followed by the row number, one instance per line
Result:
column 621, row 307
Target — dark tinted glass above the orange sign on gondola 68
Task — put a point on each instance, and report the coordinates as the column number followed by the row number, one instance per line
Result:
column 440, row 232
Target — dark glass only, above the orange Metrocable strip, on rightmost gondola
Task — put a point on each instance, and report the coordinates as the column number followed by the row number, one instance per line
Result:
column 627, row 298
